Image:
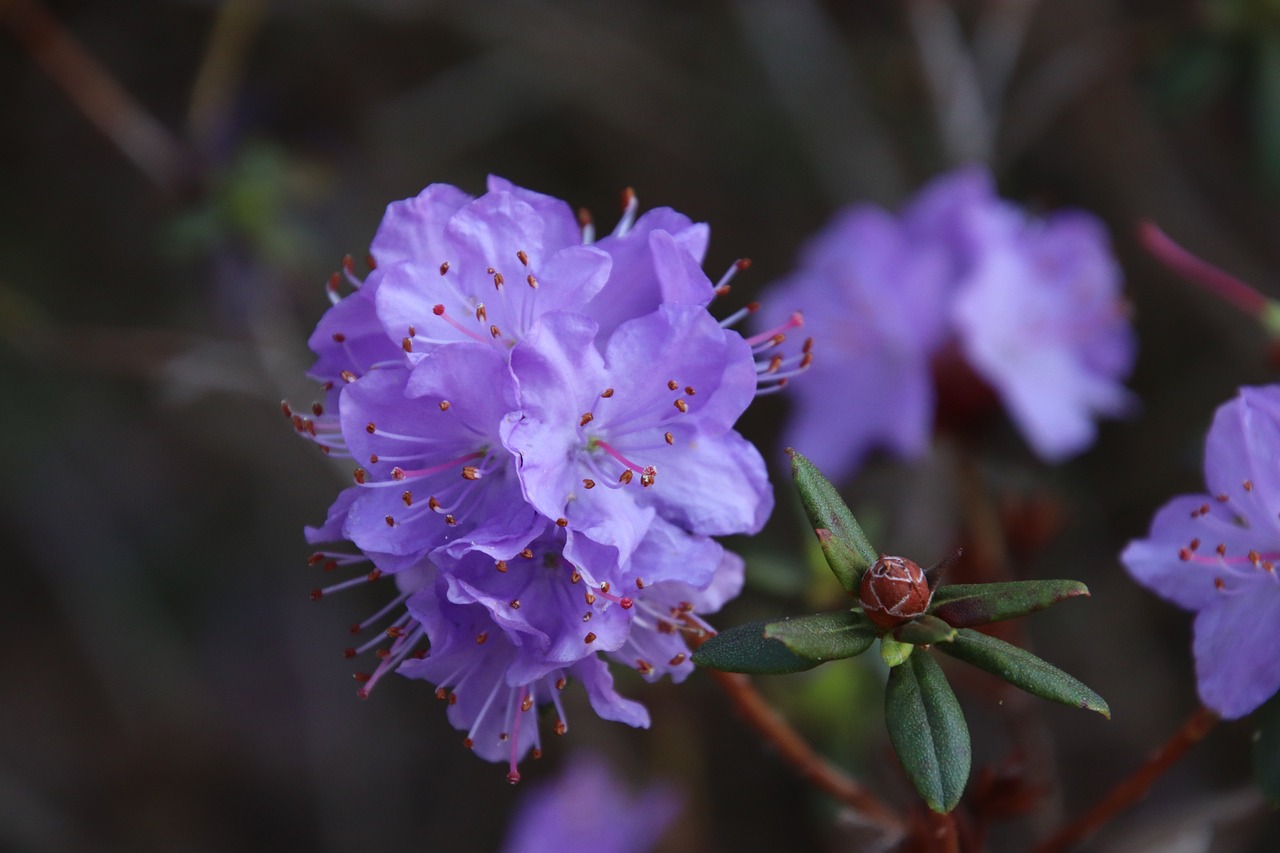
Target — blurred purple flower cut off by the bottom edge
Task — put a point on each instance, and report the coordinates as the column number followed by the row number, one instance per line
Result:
column 586, row 810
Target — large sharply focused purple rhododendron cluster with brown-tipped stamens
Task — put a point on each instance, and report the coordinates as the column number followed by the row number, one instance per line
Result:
column 543, row 446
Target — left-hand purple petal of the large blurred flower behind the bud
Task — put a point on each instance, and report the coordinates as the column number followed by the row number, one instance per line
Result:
column 874, row 303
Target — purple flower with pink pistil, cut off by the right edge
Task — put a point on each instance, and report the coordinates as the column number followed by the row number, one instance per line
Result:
column 1217, row 555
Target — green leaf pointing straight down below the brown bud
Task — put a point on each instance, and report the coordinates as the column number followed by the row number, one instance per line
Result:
column 929, row 731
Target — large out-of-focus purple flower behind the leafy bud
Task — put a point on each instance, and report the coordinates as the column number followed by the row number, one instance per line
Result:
column 1031, row 305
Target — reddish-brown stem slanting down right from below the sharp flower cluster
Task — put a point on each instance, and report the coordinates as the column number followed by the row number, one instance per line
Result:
column 797, row 752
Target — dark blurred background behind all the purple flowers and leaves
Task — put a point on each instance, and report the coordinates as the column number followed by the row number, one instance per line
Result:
column 181, row 177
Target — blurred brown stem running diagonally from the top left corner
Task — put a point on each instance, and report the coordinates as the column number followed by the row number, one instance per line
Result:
column 144, row 140
